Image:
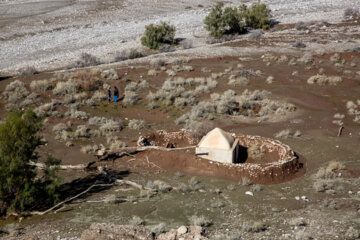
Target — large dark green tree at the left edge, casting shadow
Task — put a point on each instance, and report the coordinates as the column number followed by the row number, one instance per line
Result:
column 19, row 187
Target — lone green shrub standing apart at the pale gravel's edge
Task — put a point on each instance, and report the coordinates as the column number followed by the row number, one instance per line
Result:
column 157, row 35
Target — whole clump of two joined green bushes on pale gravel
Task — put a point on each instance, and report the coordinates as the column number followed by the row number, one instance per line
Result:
column 224, row 21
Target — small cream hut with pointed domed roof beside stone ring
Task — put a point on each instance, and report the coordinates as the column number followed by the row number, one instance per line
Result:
column 219, row 146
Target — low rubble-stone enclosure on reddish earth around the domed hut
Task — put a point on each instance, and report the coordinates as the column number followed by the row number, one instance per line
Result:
column 276, row 162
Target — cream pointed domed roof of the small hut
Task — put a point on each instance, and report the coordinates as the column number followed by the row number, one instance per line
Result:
column 218, row 139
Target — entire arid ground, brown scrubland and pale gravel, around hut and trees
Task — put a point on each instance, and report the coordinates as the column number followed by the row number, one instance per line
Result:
column 297, row 83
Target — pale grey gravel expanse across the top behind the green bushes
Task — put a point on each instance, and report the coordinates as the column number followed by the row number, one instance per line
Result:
column 53, row 34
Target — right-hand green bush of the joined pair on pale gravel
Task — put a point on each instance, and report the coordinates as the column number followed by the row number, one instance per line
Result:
column 256, row 16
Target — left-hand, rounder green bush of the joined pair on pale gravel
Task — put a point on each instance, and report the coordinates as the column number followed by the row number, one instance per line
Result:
column 223, row 21
